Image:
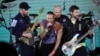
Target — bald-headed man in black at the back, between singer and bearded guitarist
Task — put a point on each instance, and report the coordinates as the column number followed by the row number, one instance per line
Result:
column 59, row 17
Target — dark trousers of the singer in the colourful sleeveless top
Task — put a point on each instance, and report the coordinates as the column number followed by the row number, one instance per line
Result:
column 46, row 49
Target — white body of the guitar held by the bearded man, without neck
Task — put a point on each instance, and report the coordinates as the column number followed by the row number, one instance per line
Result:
column 69, row 51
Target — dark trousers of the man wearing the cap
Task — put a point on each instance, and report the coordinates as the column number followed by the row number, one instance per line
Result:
column 25, row 50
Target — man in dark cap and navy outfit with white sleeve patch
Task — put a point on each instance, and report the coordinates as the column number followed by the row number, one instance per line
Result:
column 19, row 25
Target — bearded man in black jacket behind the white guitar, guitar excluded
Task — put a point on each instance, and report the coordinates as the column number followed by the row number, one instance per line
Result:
column 74, row 26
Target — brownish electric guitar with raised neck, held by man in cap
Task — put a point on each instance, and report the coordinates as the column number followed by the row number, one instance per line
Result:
column 30, row 41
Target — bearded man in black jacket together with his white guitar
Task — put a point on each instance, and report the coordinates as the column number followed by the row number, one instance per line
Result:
column 76, row 31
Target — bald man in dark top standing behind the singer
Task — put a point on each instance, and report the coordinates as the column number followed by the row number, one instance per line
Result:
column 62, row 19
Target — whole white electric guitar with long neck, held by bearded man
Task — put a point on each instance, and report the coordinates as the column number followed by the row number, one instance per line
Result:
column 74, row 43
